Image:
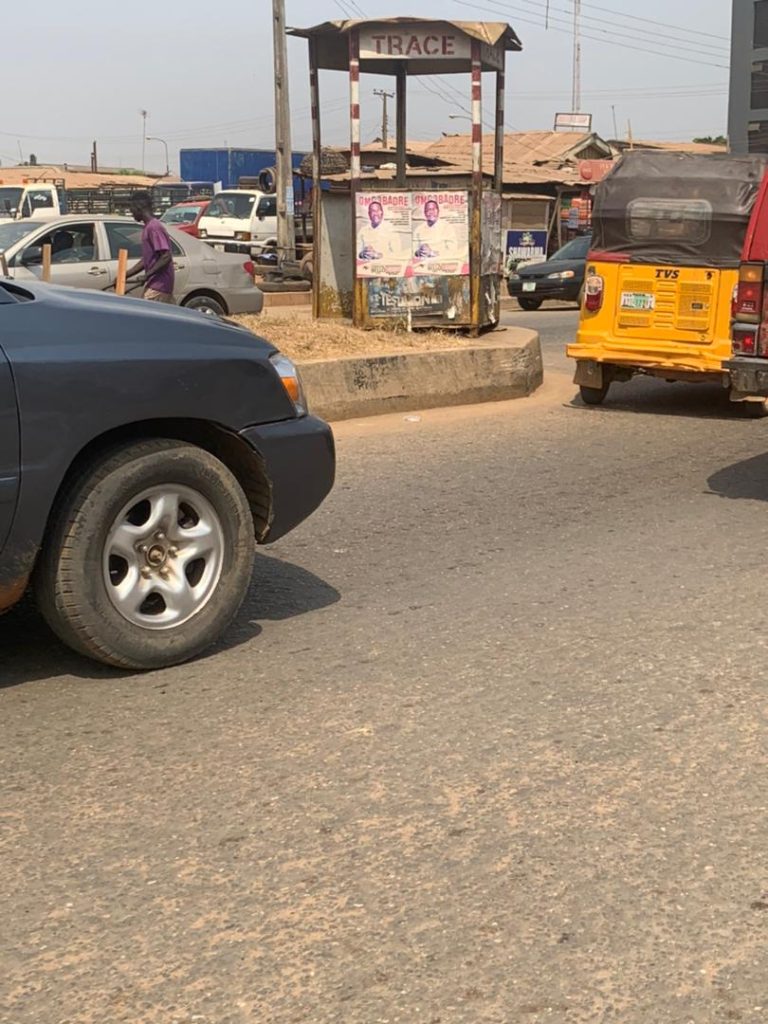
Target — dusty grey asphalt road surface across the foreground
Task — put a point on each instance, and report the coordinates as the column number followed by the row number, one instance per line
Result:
column 487, row 745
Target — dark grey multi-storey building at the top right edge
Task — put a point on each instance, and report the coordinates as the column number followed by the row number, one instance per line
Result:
column 748, row 105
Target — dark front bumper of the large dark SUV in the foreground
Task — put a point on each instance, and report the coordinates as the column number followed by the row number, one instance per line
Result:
column 300, row 459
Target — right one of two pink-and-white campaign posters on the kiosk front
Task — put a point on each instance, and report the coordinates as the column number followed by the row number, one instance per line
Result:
column 440, row 234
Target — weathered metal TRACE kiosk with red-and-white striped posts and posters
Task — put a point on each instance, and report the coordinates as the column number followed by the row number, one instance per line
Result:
column 418, row 246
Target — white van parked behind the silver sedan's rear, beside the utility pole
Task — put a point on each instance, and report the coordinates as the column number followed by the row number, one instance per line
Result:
column 243, row 221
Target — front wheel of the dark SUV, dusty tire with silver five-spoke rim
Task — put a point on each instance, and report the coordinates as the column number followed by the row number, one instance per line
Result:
column 149, row 557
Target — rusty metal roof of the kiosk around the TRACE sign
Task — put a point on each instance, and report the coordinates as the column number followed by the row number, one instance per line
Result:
column 331, row 39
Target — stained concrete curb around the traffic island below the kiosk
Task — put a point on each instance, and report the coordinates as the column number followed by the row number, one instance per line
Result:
column 489, row 371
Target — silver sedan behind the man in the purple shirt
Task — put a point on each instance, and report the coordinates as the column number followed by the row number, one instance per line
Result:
column 84, row 254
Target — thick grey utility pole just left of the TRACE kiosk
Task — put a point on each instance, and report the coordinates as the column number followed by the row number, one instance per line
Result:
column 286, row 224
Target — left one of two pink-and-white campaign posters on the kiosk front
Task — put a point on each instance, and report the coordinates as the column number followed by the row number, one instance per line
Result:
column 382, row 235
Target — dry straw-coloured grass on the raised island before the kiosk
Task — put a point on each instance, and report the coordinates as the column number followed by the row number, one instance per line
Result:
column 303, row 338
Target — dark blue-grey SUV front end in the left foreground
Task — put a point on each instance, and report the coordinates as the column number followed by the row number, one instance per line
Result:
column 144, row 451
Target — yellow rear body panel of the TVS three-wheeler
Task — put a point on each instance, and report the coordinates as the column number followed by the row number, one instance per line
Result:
column 658, row 319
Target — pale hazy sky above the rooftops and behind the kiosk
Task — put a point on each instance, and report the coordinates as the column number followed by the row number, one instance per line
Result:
column 207, row 79
